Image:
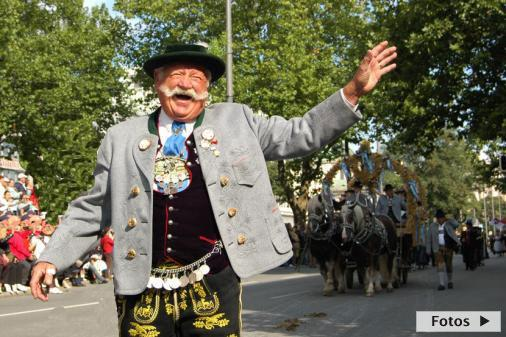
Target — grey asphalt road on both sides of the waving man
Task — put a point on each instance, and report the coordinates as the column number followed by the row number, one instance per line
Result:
column 280, row 303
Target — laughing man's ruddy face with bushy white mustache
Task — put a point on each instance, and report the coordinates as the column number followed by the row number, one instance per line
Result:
column 181, row 106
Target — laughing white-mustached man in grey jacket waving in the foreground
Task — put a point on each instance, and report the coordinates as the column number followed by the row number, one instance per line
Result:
column 187, row 192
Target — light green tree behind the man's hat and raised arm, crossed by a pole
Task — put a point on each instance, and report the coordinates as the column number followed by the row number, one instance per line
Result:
column 288, row 56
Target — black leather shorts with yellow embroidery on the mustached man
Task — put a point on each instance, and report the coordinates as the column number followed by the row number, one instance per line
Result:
column 210, row 307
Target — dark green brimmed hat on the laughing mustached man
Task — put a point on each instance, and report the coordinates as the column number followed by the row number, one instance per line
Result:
column 191, row 53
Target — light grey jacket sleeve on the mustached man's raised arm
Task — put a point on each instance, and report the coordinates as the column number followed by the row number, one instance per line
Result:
column 300, row 136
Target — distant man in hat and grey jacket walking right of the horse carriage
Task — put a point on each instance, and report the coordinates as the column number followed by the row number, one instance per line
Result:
column 442, row 242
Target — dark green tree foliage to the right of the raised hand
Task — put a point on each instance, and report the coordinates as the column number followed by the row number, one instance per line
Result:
column 450, row 70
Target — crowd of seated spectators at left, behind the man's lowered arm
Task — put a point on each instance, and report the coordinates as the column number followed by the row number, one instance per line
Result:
column 24, row 234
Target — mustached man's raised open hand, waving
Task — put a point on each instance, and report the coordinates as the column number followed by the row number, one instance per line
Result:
column 376, row 63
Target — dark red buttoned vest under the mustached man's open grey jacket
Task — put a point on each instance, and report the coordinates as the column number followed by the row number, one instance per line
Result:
column 184, row 228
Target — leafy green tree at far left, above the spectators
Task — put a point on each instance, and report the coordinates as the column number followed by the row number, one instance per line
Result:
column 61, row 84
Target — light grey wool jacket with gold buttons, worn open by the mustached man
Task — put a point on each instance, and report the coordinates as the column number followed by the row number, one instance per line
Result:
column 245, row 142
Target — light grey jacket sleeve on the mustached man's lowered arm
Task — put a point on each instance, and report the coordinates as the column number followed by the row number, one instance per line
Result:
column 85, row 217
